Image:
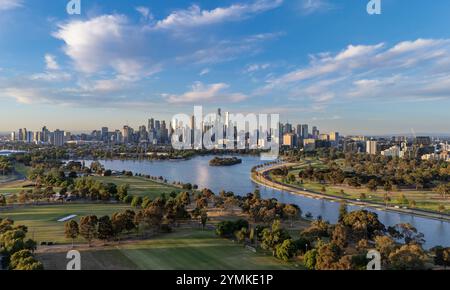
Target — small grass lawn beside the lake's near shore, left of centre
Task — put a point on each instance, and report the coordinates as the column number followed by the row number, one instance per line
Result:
column 140, row 186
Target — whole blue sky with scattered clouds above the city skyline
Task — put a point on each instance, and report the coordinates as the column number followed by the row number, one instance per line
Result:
column 321, row 62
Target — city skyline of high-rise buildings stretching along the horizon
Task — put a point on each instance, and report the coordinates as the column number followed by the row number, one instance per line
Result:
column 225, row 132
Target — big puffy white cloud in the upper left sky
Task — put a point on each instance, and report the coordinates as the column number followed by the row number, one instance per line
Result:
column 106, row 42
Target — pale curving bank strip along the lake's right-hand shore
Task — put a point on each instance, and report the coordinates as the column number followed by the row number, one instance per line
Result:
column 263, row 178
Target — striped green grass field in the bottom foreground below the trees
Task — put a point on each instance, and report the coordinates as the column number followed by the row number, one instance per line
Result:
column 188, row 249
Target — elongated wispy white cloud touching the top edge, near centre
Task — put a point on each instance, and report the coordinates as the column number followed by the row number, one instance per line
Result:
column 195, row 16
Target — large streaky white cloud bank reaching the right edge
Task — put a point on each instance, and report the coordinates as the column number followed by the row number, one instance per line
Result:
column 409, row 70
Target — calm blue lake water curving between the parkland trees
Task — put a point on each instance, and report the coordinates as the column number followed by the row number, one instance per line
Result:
column 237, row 179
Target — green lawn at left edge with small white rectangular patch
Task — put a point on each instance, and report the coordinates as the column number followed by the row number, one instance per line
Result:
column 42, row 220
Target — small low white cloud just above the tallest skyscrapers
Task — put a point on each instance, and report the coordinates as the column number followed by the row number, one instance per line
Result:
column 201, row 93
